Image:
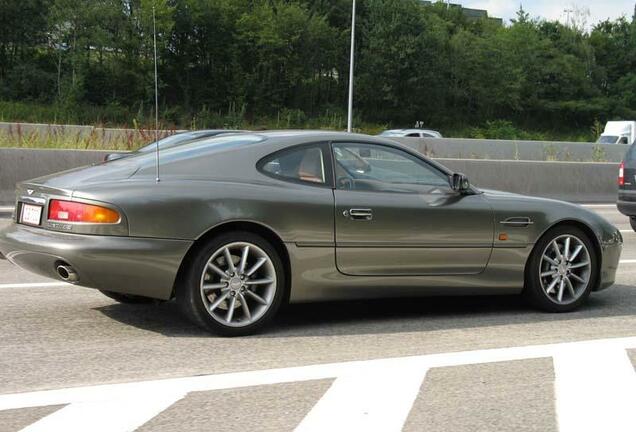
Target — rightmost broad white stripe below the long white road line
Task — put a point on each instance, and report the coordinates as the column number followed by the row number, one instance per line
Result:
column 595, row 390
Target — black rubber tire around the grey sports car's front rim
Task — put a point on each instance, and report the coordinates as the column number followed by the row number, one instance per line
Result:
column 533, row 291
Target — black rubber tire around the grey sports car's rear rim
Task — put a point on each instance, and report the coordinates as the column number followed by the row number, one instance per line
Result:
column 189, row 295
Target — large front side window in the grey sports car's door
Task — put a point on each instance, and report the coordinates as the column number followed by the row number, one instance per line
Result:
column 371, row 167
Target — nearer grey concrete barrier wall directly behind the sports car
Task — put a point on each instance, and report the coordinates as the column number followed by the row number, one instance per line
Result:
column 571, row 181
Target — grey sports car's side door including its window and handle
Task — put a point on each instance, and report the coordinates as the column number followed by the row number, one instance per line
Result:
column 396, row 214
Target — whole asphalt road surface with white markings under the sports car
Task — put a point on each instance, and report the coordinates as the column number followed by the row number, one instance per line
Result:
column 58, row 342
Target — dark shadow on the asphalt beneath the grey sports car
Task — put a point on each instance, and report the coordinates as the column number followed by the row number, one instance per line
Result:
column 385, row 316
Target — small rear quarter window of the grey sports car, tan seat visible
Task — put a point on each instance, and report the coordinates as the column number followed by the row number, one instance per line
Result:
column 301, row 164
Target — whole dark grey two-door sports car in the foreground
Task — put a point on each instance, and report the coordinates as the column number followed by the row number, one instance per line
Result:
column 240, row 224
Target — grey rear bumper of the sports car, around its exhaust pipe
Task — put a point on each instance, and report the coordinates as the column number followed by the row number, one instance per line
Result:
column 140, row 266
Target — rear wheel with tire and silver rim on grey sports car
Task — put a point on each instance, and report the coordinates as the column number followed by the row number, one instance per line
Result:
column 234, row 285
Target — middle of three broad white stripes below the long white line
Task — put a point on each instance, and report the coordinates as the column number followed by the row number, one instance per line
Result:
column 372, row 399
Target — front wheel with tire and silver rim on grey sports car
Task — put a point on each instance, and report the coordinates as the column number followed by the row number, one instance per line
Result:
column 562, row 270
